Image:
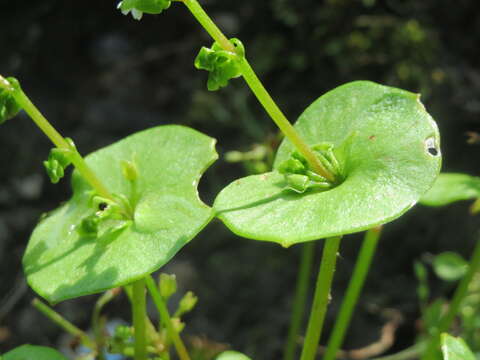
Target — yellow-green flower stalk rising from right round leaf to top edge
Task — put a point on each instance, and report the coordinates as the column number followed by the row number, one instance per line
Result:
column 259, row 90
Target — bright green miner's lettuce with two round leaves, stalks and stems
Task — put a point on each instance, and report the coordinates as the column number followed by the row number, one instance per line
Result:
column 358, row 157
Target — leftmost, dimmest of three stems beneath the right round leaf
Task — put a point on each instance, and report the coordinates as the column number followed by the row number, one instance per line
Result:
column 300, row 299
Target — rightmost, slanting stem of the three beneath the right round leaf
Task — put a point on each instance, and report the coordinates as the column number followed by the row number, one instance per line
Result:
column 353, row 291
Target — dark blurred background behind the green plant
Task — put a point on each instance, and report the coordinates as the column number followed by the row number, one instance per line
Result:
column 98, row 76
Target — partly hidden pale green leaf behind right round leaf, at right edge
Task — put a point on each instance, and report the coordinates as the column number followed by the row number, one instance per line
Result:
column 451, row 187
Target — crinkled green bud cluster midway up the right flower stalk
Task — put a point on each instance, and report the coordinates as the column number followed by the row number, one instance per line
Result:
column 222, row 65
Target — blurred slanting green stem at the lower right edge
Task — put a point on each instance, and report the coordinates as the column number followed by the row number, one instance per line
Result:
column 454, row 306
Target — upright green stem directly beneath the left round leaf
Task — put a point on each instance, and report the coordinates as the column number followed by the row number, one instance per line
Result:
column 139, row 310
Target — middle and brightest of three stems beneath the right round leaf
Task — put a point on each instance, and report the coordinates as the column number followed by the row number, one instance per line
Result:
column 321, row 298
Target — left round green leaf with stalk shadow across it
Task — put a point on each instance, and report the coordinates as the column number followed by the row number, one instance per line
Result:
column 64, row 261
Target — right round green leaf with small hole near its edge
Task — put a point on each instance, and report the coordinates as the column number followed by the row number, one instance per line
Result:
column 387, row 146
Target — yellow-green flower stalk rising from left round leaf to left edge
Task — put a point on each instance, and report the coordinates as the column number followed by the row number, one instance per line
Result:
column 57, row 139
